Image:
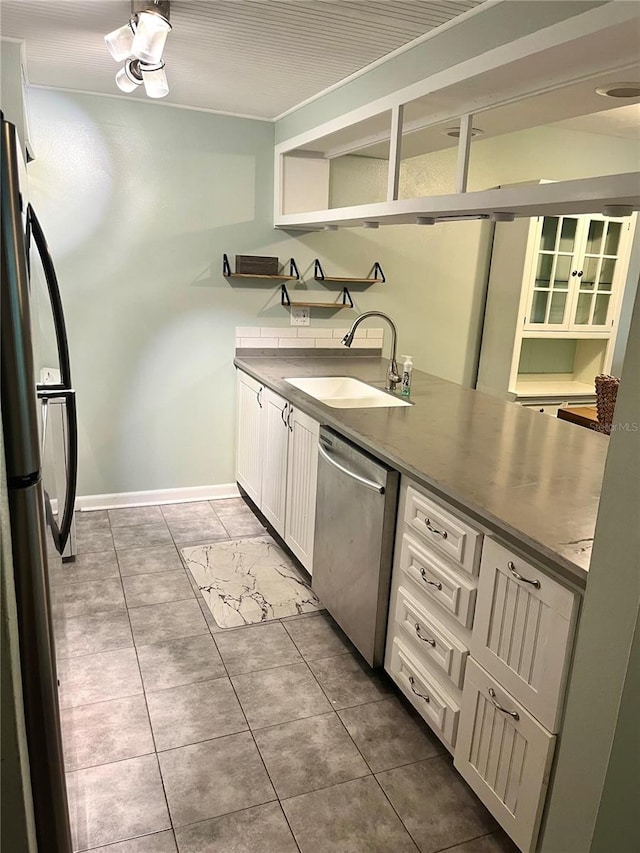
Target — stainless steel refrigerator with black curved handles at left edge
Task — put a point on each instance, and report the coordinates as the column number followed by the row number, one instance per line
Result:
column 40, row 525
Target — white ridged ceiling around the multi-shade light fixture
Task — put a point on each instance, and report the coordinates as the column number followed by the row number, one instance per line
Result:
column 248, row 57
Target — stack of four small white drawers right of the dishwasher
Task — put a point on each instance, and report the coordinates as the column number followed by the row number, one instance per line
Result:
column 433, row 594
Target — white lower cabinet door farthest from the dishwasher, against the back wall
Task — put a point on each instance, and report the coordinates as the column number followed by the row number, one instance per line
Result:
column 251, row 436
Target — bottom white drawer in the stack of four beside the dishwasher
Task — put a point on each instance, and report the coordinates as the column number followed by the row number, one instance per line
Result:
column 424, row 692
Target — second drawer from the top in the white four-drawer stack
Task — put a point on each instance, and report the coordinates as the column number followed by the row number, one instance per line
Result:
column 452, row 591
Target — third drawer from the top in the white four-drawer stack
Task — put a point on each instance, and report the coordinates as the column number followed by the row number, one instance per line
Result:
column 436, row 643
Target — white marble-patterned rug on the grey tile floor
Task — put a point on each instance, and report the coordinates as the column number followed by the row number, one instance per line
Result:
column 244, row 581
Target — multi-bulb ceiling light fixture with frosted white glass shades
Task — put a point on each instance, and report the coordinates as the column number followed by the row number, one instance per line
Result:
column 140, row 43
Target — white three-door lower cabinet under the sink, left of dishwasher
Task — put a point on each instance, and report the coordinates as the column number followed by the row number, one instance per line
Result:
column 277, row 462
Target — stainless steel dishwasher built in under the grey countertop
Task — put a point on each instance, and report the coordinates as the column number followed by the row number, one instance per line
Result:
column 355, row 522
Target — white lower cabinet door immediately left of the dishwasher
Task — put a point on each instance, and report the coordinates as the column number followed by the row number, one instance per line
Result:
column 302, row 478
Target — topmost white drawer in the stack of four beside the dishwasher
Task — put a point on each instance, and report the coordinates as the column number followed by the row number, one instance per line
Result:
column 443, row 530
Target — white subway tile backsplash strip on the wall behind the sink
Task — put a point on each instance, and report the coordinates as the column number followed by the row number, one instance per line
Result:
column 304, row 337
